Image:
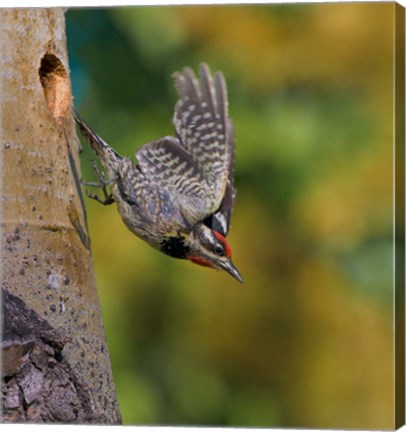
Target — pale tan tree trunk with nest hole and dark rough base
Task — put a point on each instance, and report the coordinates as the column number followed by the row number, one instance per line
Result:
column 55, row 361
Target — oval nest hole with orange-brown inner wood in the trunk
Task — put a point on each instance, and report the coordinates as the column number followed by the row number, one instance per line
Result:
column 55, row 83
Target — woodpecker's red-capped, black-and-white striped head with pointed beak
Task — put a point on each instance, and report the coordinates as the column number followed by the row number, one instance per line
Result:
column 209, row 248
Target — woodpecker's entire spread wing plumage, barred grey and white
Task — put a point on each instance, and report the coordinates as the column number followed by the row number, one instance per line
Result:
column 194, row 172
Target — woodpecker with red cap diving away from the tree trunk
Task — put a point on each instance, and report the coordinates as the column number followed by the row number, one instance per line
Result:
column 180, row 195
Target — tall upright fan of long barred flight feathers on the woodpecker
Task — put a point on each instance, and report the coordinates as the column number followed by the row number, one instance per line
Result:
column 204, row 129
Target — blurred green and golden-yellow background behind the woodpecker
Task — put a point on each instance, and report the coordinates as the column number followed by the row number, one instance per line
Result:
column 306, row 341
